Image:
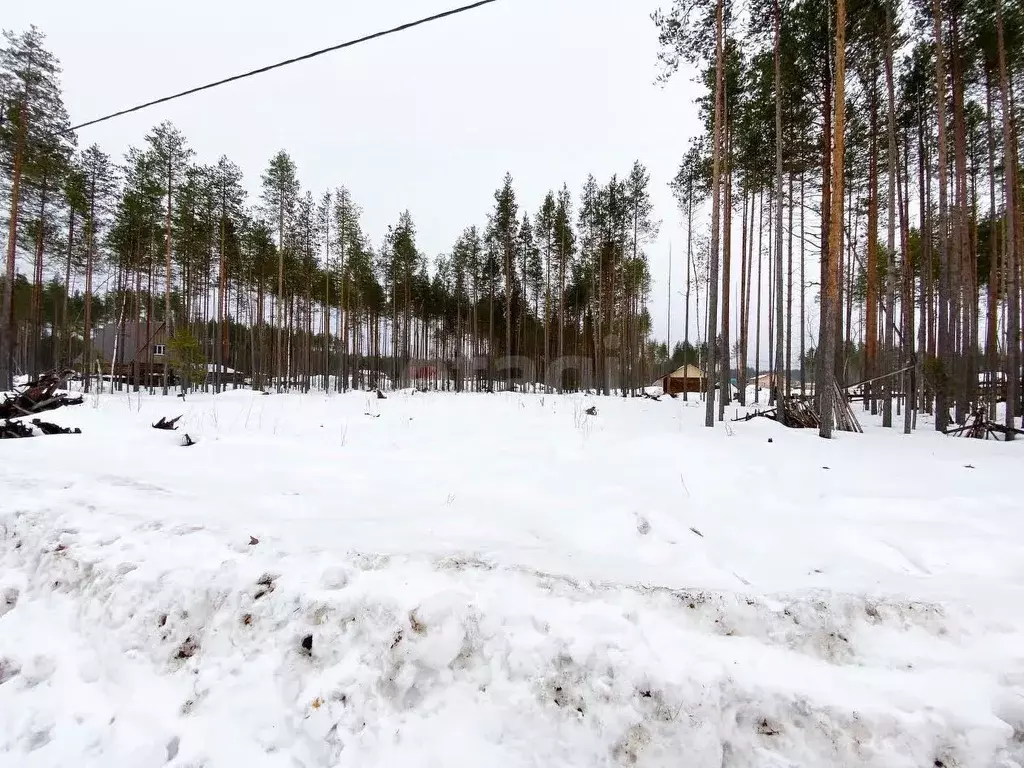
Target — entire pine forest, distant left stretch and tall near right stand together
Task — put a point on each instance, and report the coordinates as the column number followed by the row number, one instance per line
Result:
column 850, row 205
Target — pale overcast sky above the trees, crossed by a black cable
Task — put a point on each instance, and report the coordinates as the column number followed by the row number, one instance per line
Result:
column 429, row 120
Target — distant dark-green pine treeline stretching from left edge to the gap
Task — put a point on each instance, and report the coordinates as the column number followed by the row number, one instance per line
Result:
column 286, row 285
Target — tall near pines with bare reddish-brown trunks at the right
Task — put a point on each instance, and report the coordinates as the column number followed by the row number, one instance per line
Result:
column 871, row 151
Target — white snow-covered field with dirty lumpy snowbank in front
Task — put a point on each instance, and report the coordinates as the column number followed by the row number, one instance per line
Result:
column 504, row 581
